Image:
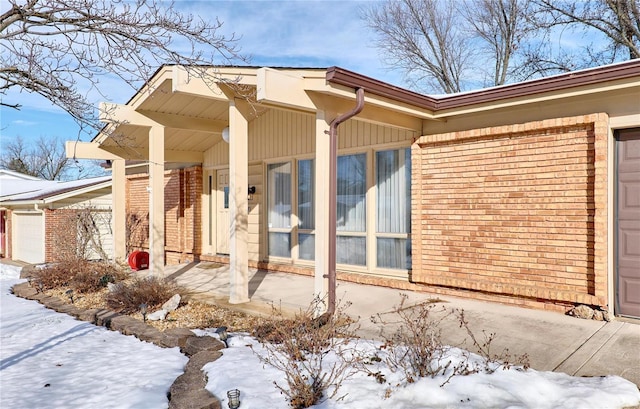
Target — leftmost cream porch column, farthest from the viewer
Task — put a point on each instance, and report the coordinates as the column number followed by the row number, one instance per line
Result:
column 119, row 216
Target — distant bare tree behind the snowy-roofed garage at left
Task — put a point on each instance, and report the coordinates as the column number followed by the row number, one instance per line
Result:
column 46, row 159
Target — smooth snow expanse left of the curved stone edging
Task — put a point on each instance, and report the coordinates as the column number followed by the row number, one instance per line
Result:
column 51, row 360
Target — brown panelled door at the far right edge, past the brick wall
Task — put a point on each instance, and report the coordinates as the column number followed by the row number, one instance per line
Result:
column 628, row 222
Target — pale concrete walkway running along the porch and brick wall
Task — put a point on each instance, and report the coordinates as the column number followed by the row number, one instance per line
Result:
column 553, row 342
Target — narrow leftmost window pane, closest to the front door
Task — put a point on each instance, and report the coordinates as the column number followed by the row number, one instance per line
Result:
column 279, row 205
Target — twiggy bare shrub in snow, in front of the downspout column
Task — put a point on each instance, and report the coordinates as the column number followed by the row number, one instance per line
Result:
column 314, row 354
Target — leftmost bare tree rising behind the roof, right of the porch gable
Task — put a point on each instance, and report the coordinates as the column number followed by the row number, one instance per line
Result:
column 417, row 37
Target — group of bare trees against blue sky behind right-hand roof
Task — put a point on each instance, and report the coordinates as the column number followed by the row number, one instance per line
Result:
column 447, row 44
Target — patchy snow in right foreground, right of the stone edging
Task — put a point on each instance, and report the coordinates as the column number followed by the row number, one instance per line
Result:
column 240, row 368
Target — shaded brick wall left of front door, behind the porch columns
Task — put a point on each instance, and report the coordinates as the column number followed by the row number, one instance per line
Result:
column 183, row 212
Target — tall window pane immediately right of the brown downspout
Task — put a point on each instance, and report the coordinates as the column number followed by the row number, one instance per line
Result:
column 351, row 210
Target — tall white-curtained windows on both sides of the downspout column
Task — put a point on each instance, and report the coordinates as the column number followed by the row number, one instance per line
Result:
column 374, row 238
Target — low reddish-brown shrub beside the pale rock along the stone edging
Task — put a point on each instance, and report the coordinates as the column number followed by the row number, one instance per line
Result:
column 126, row 297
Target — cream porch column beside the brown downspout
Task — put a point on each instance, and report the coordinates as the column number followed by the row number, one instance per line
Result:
column 321, row 207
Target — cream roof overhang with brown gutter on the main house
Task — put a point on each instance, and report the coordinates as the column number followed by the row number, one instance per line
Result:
column 192, row 104
